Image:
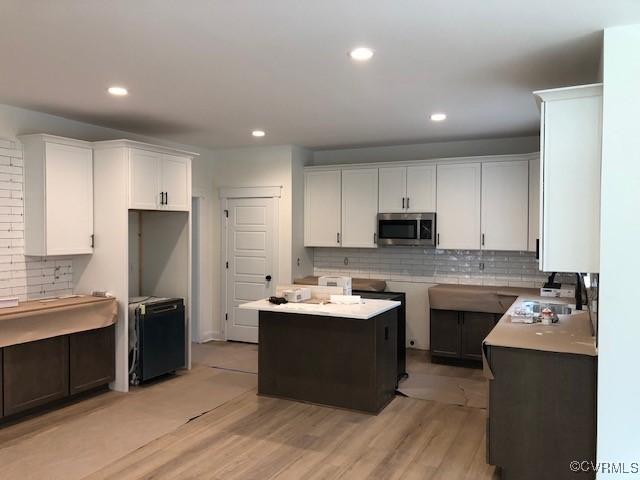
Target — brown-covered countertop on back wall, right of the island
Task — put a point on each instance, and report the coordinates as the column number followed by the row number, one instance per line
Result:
column 476, row 298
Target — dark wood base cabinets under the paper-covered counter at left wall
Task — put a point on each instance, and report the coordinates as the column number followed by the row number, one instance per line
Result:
column 36, row 374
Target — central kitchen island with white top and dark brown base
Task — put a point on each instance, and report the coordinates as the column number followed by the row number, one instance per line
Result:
column 338, row 355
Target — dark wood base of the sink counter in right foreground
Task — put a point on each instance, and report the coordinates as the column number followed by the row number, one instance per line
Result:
column 542, row 413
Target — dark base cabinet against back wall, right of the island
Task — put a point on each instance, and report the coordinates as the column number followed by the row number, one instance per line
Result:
column 459, row 335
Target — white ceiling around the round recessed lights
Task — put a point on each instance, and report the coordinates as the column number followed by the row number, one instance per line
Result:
column 207, row 72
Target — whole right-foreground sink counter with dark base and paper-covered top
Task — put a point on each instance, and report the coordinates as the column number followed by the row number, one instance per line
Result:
column 542, row 395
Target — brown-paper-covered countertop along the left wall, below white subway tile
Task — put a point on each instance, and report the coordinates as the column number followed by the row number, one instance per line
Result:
column 39, row 319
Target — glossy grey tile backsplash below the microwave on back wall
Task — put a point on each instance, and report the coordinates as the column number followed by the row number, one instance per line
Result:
column 415, row 264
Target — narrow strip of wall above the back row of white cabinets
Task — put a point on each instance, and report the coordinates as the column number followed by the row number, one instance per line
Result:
column 425, row 151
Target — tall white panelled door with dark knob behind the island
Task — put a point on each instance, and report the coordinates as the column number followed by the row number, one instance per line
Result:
column 250, row 271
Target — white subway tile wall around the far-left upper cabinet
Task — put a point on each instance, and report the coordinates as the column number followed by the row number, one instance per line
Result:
column 21, row 276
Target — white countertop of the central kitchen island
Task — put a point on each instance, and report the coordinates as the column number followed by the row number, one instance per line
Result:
column 369, row 308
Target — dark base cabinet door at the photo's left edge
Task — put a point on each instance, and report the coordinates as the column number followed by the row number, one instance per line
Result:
column 35, row 373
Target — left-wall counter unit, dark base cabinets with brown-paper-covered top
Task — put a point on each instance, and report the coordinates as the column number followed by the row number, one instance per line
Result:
column 55, row 350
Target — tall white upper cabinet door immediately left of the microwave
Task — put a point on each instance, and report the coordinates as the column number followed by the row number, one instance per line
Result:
column 359, row 207
